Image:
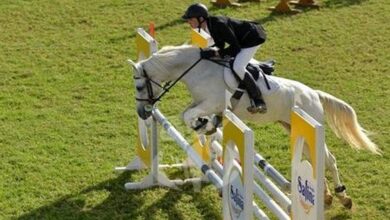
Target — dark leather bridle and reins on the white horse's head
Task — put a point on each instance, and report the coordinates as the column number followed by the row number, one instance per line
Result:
column 152, row 99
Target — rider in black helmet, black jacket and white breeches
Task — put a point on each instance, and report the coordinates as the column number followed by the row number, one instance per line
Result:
column 243, row 37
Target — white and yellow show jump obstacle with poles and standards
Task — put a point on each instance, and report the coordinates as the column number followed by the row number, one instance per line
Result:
column 243, row 172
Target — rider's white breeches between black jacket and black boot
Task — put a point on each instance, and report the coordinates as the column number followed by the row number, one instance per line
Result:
column 242, row 59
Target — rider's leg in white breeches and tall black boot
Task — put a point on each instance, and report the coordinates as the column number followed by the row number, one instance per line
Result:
column 241, row 61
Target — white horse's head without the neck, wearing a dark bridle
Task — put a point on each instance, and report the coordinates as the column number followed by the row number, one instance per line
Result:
column 147, row 90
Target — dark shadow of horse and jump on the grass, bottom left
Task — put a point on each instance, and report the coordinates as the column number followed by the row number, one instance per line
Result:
column 122, row 204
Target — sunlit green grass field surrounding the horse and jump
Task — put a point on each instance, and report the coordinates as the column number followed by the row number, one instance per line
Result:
column 67, row 108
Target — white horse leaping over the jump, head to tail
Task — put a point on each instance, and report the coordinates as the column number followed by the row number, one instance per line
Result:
column 205, row 81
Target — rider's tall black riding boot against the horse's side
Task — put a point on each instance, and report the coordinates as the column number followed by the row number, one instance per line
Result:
column 257, row 102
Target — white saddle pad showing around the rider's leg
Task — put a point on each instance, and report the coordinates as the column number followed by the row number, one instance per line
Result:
column 232, row 83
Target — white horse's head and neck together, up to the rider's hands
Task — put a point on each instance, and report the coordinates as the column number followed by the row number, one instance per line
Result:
column 166, row 65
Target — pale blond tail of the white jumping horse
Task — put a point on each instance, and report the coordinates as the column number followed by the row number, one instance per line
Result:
column 342, row 119
